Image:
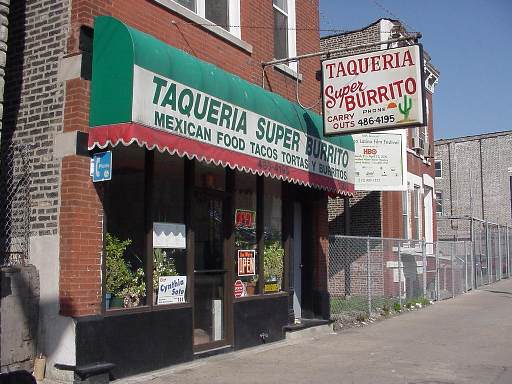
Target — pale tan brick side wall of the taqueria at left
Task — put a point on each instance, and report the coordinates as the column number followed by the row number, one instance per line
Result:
column 34, row 99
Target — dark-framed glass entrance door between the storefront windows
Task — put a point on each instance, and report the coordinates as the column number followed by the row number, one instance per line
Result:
column 209, row 270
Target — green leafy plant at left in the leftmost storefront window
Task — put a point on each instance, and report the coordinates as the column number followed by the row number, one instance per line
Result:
column 118, row 273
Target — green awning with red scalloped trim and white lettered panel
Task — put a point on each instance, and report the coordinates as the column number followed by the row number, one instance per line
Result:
column 151, row 93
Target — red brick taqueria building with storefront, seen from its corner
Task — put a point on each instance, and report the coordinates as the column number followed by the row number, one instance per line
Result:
column 51, row 105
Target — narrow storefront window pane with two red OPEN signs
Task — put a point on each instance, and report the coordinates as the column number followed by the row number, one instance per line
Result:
column 245, row 255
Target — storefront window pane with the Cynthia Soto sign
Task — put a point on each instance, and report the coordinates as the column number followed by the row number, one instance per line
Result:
column 169, row 231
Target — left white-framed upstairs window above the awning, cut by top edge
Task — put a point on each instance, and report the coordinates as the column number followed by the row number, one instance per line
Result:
column 223, row 13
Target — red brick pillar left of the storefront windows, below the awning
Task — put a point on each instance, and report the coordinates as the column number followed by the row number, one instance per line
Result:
column 80, row 240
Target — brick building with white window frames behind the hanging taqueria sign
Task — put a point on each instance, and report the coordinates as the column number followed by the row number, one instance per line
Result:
column 405, row 214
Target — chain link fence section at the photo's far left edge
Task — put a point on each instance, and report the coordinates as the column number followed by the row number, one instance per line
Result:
column 15, row 205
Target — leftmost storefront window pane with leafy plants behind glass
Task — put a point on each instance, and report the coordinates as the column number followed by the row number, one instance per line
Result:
column 125, row 279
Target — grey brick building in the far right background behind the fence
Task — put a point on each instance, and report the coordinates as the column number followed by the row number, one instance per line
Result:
column 473, row 179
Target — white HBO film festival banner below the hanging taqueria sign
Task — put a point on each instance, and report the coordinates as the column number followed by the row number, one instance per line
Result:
column 381, row 161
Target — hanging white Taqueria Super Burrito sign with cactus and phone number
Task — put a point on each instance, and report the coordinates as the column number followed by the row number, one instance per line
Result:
column 374, row 91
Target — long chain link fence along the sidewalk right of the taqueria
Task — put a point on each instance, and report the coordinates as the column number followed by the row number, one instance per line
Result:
column 368, row 275
